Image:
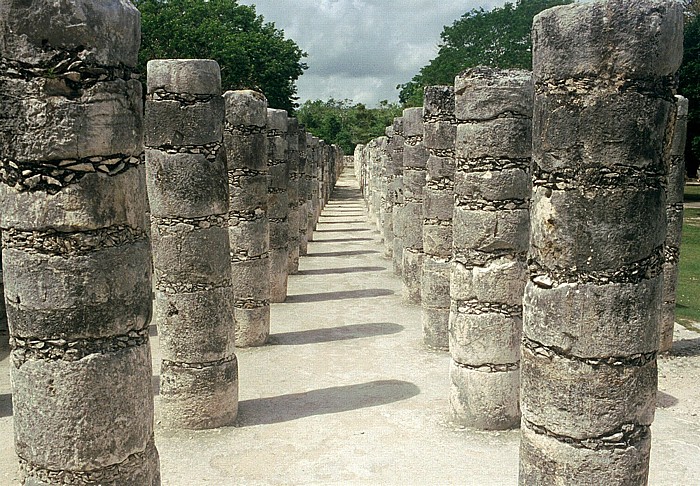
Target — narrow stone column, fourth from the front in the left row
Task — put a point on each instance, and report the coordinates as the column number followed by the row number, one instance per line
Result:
column 278, row 202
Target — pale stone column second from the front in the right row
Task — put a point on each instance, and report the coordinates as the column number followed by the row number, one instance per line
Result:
column 490, row 241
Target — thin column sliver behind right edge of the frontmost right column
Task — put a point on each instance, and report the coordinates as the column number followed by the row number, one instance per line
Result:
column 674, row 217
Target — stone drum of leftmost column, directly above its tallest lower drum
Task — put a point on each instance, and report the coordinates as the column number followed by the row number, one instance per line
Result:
column 96, row 295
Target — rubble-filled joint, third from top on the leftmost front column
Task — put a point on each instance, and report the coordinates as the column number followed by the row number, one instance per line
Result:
column 56, row 243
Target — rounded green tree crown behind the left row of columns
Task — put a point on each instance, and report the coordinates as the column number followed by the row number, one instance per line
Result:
column 251, row 53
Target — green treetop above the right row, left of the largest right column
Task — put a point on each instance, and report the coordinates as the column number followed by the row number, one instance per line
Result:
column 499, row 38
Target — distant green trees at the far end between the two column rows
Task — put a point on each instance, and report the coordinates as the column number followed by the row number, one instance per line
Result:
column 347, row 124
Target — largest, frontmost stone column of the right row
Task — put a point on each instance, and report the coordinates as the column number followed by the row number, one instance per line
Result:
column 603, row 75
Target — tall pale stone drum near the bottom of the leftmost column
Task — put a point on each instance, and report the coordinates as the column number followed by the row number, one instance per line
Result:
column 72, row 396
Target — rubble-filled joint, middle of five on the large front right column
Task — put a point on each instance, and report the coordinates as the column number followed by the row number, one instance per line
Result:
column 635, row 272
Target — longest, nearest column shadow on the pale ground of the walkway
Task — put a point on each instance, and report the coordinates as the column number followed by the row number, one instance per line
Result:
column 335, row 399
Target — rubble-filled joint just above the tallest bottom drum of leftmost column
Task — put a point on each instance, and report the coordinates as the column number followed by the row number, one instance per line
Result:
column 59, row 349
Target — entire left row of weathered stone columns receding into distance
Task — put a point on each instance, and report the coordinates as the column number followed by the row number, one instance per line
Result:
column 84, row 270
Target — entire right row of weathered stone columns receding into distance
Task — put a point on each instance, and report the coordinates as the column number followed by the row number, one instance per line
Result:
column 552, row 209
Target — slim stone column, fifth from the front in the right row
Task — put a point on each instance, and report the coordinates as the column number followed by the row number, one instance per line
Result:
column 397, row 197
